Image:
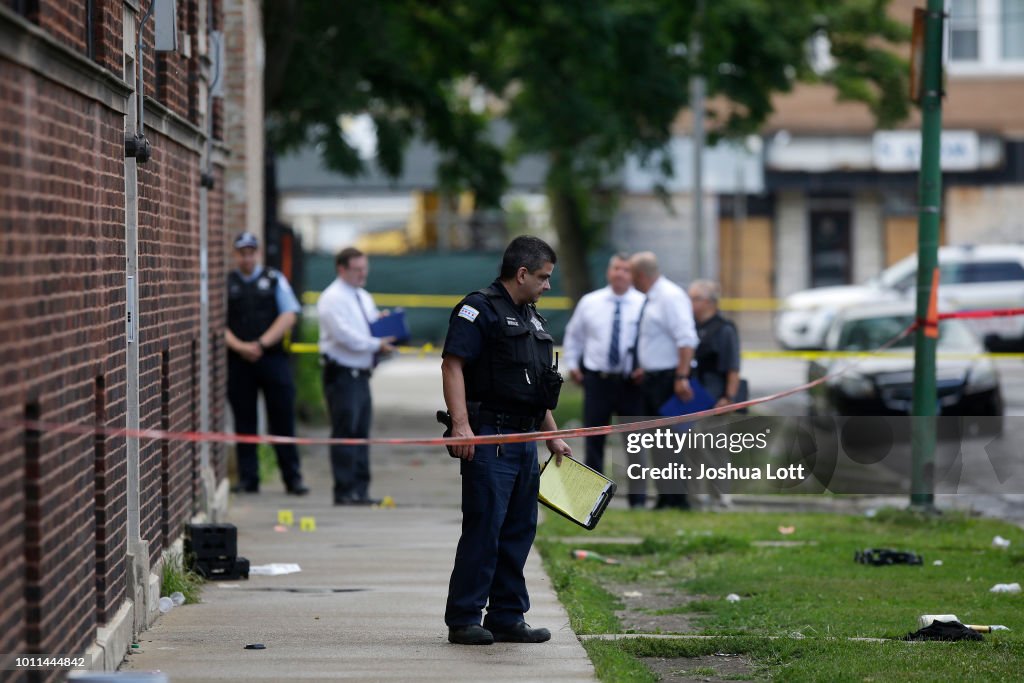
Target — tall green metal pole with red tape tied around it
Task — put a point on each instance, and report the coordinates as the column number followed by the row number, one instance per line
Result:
column 930, row 194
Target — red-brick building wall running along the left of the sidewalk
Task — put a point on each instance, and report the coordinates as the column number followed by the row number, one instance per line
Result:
column 108, row 324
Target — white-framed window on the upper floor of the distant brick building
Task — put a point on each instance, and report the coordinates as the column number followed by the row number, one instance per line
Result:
column 986, row 37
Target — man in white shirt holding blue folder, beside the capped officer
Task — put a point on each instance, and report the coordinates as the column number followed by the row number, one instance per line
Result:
column 350, row 352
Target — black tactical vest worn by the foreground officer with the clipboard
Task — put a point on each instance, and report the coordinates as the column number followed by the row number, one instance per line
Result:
column 516, row 371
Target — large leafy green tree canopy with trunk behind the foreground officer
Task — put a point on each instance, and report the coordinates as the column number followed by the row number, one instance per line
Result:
column 585, row 83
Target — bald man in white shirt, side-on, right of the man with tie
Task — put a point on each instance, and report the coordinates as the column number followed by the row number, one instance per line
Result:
column 666, row 340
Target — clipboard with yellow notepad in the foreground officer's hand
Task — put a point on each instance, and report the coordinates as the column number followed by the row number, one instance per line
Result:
column 576, row 492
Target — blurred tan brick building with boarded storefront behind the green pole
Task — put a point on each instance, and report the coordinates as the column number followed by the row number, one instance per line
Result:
column 842, row 196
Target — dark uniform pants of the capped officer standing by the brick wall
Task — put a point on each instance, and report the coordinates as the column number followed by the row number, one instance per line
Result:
column 273, row 376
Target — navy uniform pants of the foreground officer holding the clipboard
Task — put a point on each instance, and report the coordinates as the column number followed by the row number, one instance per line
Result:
column 499, row 523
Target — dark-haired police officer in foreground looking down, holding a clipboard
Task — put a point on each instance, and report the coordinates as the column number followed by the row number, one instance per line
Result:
column 500, row 377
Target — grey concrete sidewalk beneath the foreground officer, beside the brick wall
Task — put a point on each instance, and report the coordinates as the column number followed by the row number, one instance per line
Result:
column 369, row 604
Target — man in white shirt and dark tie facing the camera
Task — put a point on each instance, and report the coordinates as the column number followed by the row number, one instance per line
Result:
column 599, row 339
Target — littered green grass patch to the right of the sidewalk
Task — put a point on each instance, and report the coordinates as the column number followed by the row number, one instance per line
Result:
column 815, row 592
